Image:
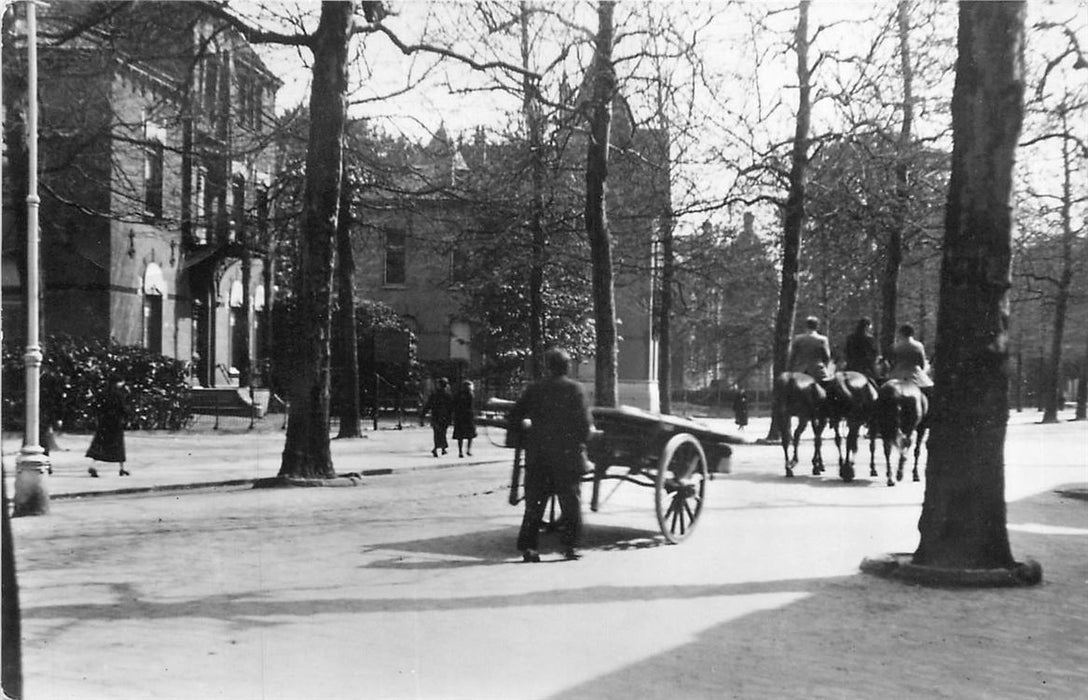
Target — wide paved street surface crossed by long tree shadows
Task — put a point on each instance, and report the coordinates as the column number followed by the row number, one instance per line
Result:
column 410, row 587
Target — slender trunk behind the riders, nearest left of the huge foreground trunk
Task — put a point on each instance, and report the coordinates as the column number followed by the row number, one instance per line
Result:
column 894, row 259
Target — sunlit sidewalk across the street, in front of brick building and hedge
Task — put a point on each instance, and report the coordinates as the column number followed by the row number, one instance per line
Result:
column 236, row 456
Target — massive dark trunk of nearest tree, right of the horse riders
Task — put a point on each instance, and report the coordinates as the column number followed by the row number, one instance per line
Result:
column 963, row 519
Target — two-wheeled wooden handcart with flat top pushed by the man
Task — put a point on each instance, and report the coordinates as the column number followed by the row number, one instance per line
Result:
column 672, row 456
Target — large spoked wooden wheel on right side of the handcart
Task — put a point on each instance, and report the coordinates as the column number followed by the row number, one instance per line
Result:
column 681, row 487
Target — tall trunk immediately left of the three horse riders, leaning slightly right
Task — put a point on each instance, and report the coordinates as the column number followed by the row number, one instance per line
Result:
column 795, row 214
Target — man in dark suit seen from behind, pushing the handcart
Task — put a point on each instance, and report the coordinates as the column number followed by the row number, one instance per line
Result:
column 559, row 427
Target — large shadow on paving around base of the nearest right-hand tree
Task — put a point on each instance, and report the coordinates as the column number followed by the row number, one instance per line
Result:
column 868, row 637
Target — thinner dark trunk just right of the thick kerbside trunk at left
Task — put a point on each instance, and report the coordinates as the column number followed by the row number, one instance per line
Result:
column 350, row 404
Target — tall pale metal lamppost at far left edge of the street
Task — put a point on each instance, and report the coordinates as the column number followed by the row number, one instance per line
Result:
column 32, row 498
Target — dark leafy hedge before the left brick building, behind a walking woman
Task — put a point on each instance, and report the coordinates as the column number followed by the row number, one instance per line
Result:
column 75, row 373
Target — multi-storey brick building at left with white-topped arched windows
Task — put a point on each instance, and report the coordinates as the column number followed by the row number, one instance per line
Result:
column 154, row 174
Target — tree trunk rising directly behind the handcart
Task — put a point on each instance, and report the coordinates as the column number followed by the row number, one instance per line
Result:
column 597, row 216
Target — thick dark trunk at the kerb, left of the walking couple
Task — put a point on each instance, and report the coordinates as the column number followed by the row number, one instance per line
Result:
column 306, row 451
